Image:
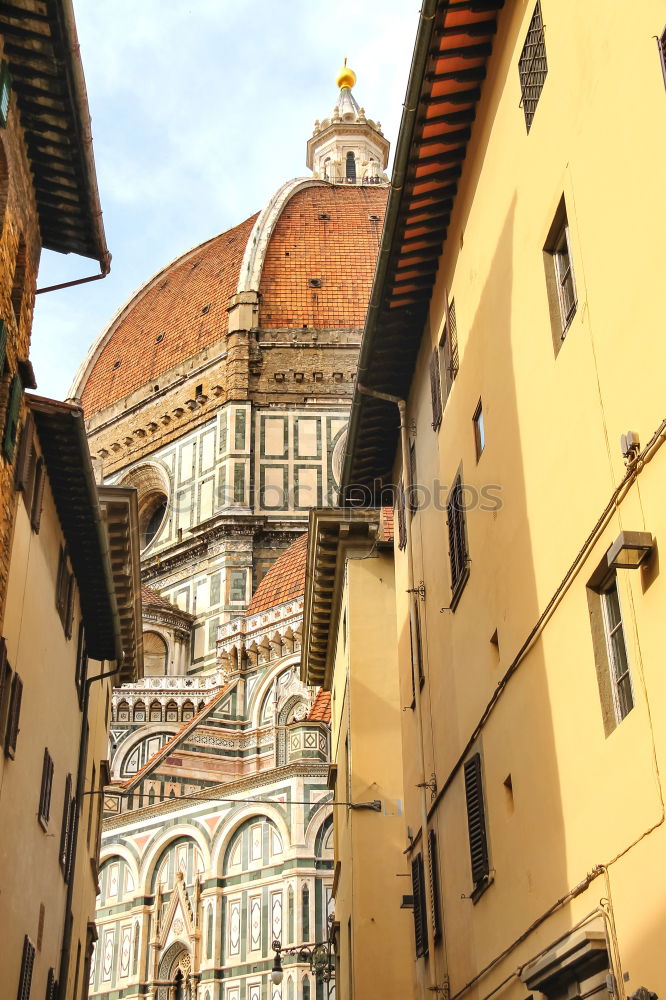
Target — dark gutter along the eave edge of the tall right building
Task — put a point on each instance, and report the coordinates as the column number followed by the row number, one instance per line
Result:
column 400, row 165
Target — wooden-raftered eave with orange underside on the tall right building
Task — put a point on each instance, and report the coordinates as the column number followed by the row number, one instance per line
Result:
column 396, row 315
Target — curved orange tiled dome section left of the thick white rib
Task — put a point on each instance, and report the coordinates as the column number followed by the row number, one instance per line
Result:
column 170, row 306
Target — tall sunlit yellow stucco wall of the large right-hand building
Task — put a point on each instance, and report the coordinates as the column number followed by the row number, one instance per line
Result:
column 581, row 798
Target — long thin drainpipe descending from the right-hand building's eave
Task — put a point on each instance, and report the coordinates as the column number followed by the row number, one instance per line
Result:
column 416, row 681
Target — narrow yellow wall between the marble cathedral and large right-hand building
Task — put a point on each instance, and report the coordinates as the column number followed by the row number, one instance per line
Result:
column 372, row 874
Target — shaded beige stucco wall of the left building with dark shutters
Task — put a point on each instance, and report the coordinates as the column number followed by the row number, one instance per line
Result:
column 30, row 872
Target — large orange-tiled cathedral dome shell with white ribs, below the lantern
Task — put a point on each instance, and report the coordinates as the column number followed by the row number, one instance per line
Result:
column 310, row 255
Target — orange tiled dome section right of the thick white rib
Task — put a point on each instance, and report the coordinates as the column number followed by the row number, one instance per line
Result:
column 340, row 252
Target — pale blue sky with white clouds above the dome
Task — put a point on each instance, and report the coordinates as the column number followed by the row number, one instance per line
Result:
column 200, row 111
